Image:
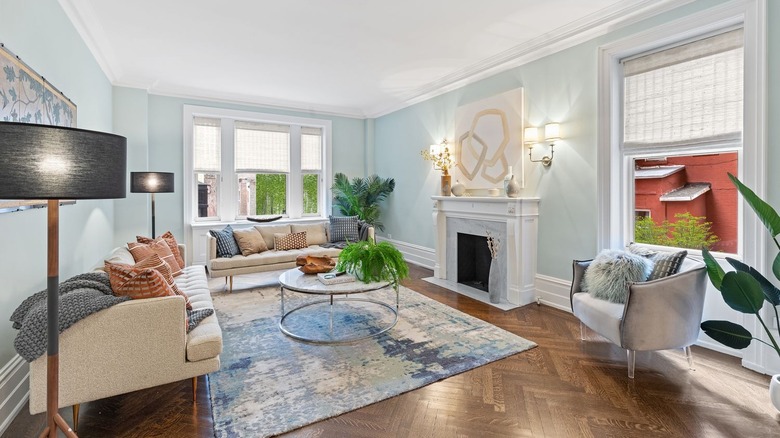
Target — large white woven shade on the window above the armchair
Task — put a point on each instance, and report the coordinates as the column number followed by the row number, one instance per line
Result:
column 688, row 94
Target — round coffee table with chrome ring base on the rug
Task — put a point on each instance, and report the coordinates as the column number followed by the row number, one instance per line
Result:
column 294, row 280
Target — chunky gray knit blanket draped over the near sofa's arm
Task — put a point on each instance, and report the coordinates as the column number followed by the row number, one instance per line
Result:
column 80, row 297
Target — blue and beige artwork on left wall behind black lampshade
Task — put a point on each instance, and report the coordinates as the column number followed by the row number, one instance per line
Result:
column 25, row 96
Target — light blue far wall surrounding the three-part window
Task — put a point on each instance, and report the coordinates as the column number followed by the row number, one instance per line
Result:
column 163, row 139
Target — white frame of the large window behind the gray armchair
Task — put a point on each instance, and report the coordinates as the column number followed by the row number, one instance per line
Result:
column 615, row 182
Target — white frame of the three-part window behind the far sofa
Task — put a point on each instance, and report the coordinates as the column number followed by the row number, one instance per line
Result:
column 228, row 187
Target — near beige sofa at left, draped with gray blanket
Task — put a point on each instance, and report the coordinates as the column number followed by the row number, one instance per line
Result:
column 133, row 345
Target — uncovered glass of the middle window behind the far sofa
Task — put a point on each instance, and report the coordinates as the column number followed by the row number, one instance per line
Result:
column 262, row 193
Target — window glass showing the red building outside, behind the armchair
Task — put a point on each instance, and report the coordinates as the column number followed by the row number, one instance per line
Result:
column 686, row 202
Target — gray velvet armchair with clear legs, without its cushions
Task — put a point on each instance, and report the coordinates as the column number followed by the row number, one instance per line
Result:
column 661, row 314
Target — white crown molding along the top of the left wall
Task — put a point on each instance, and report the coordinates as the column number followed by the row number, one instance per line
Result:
column 91, row 30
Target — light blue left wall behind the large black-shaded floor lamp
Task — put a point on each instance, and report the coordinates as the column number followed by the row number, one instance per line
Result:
column 40, row 33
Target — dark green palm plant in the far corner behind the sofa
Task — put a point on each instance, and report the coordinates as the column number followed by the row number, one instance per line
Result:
column 361, row 196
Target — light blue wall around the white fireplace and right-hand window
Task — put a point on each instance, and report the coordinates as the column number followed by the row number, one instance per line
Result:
column 561, row 87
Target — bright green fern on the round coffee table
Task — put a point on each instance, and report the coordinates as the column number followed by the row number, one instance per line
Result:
column 371, row 261
